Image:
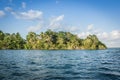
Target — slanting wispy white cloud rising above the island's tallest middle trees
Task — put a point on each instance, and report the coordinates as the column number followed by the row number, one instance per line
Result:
column 56, row 22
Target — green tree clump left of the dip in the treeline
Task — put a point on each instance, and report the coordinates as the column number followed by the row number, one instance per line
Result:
column 12, row 41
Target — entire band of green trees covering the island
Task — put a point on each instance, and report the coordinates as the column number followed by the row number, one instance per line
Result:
column 49, row 40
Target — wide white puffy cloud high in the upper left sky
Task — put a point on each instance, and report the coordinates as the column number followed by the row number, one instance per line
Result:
column 29, row 15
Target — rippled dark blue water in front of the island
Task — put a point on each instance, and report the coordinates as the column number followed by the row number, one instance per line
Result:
column 60, row 64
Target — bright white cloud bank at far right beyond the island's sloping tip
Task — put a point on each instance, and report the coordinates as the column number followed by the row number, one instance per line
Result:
column 111, row 39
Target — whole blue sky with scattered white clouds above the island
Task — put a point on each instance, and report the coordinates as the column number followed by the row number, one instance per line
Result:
column 80, row 17
